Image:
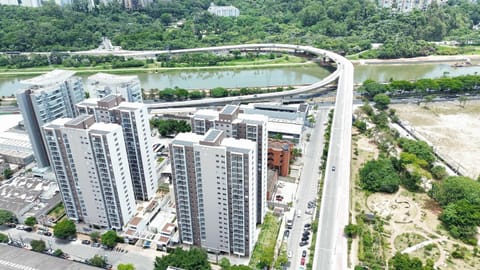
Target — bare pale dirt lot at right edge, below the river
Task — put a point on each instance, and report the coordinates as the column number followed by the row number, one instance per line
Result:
column 450, row 128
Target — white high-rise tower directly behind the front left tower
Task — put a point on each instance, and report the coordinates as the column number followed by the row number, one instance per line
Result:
column 133, row 117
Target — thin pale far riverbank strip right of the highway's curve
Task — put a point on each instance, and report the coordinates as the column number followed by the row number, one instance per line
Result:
column 417, row 60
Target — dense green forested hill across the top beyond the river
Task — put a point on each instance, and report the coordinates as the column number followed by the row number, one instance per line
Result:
column 342, row 25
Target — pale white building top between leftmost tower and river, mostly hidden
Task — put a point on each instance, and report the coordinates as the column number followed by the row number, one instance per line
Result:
column 101, row 85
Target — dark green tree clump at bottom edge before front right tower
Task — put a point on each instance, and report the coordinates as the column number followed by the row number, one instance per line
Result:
column 193, row 259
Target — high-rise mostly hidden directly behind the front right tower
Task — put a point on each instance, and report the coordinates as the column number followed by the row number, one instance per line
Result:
column 240, row 126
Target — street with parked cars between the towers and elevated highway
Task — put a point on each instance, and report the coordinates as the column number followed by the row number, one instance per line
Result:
column 307, row 187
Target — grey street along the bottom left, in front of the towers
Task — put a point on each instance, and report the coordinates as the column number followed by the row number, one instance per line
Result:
column 142, row 259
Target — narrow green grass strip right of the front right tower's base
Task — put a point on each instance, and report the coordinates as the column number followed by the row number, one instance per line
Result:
column 265, row 247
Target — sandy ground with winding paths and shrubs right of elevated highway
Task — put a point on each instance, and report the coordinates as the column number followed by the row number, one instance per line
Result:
column 411, row 219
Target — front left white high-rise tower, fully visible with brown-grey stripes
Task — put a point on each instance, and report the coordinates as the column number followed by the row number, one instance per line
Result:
column 90, row 162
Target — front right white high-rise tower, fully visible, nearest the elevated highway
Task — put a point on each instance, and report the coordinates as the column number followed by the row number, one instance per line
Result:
column 214, row 180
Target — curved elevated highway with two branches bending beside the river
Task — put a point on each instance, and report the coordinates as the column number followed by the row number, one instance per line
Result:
column 331, row 245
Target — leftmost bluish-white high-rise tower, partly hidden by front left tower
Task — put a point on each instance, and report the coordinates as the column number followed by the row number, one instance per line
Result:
column 48, row 97
